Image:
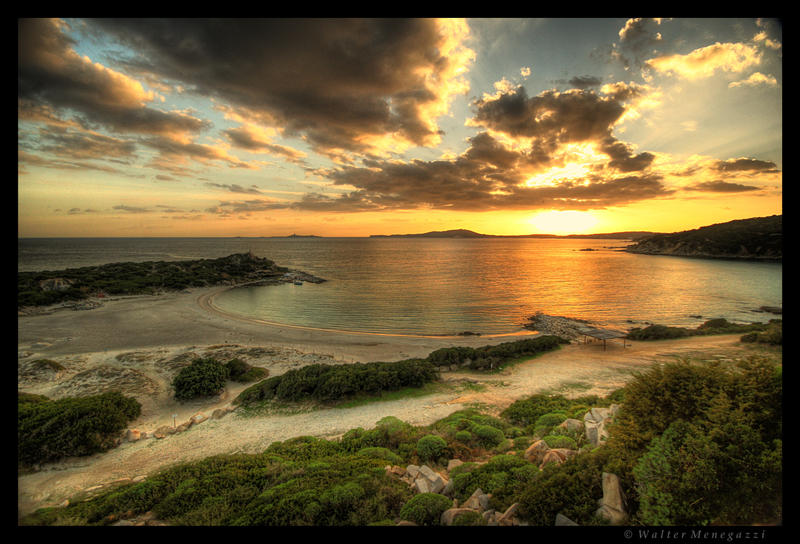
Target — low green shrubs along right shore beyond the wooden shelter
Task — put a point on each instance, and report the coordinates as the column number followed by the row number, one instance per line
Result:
column 766, row 333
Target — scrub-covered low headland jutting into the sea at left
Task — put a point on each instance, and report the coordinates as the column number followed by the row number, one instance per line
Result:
column 135, row 278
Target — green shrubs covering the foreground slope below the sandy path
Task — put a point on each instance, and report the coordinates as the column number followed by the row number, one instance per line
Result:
column 692, row 442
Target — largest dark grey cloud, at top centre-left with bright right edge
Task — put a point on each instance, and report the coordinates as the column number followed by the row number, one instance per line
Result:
column 331, row 80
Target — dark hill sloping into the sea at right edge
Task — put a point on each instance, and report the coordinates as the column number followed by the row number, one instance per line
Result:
column 758, row 238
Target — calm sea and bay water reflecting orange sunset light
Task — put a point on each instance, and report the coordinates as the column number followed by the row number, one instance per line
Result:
column 447, row 286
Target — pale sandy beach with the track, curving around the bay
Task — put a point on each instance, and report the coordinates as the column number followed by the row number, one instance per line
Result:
column 139, row 343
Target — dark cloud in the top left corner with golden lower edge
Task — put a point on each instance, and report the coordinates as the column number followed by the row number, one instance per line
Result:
column 54, row 78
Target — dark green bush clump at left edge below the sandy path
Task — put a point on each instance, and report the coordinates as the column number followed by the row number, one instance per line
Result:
column 48, row 430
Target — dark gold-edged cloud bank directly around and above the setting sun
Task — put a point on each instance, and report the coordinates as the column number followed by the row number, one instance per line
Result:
column 528, row 137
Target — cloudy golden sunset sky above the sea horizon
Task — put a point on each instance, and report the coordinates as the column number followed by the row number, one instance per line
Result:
column 341, row 127
